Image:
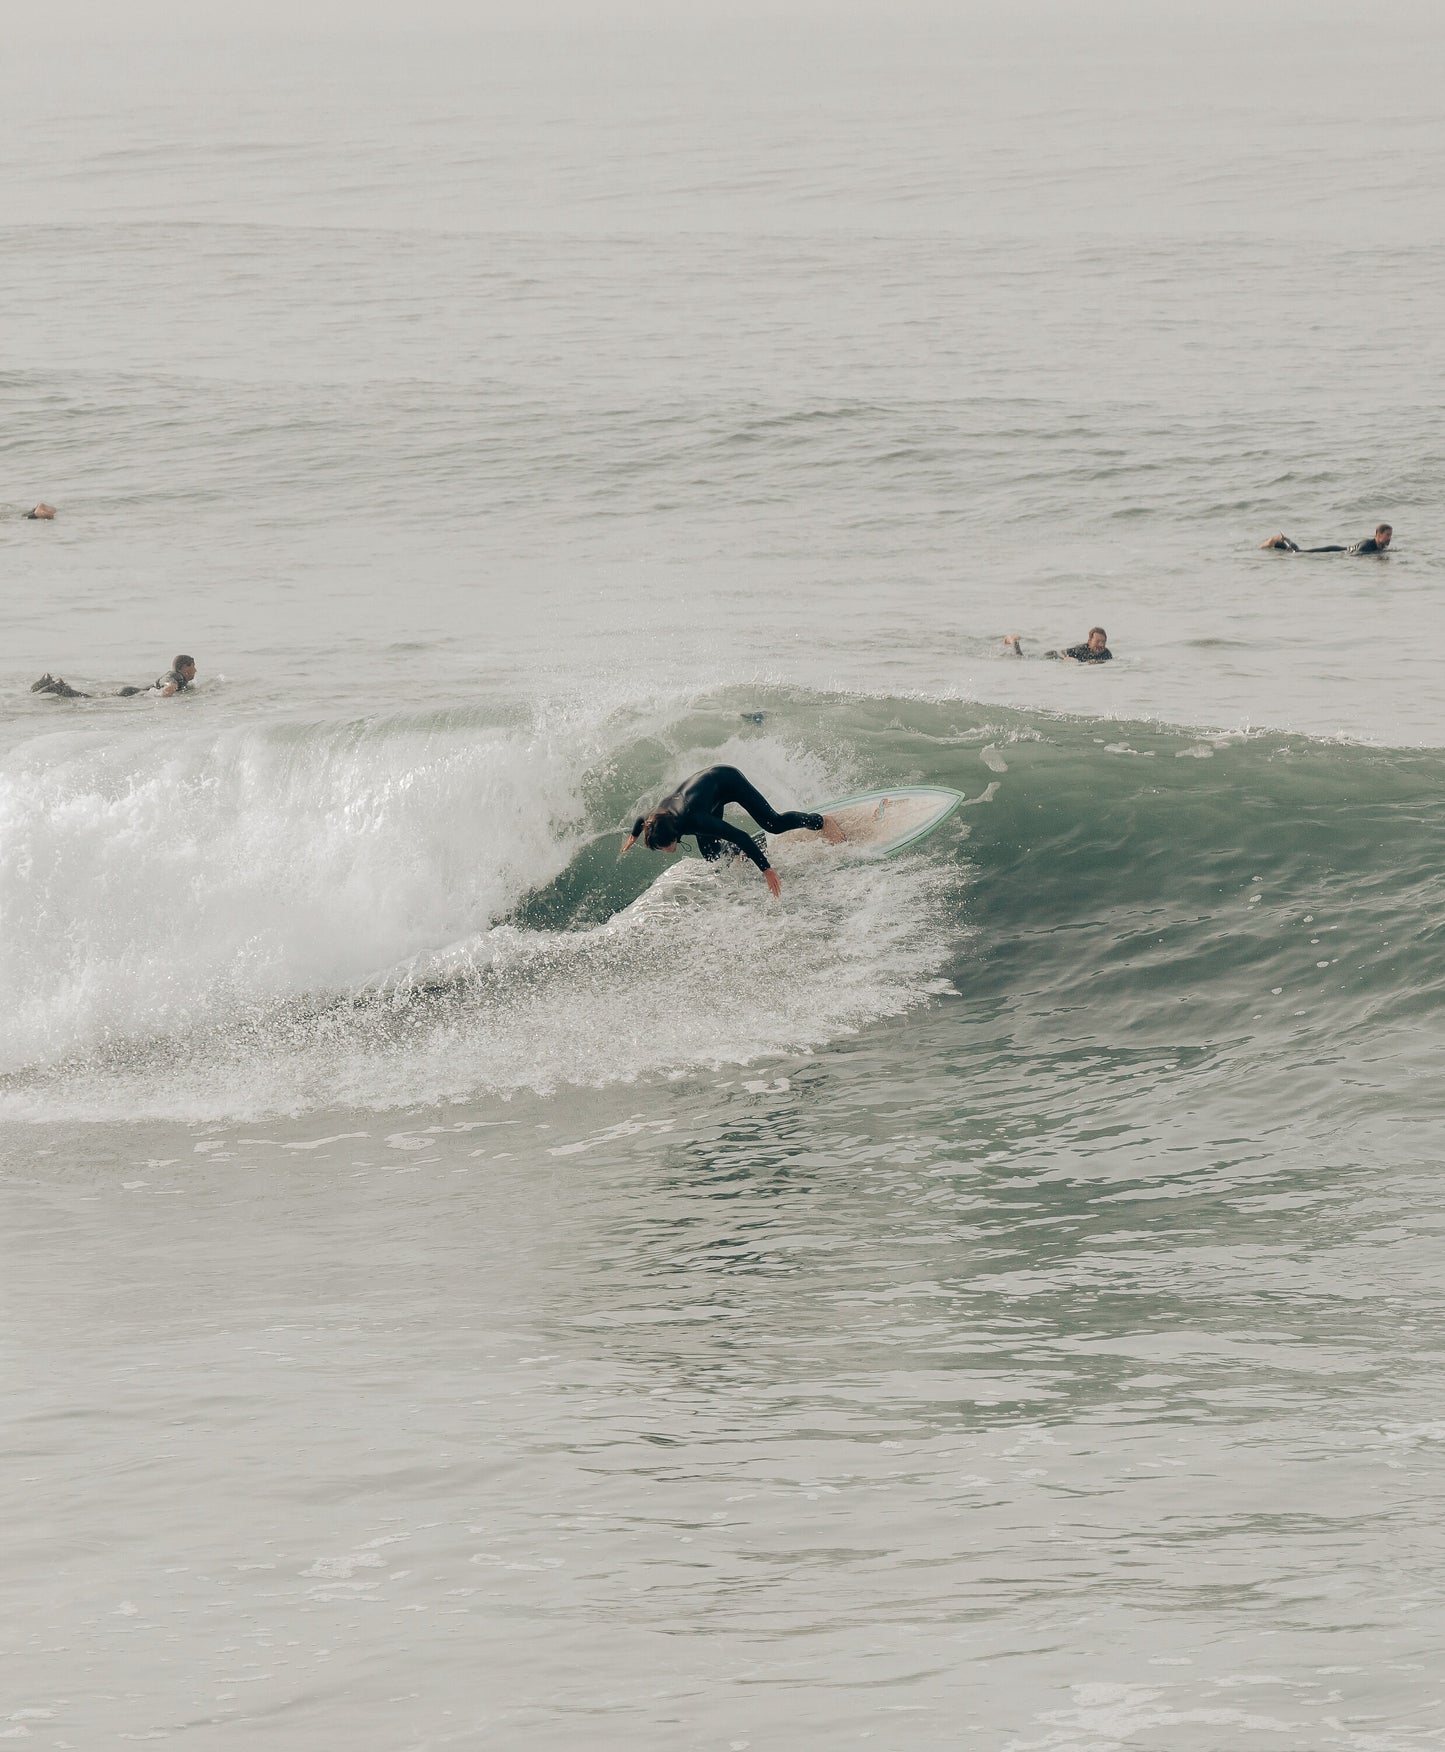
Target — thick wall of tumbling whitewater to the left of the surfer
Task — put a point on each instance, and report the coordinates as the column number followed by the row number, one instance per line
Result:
column 152, row 886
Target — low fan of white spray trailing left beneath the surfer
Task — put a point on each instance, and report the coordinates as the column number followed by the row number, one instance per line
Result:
column 705, row 971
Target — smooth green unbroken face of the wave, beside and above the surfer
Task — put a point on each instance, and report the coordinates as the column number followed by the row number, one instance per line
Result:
column 1134, row 886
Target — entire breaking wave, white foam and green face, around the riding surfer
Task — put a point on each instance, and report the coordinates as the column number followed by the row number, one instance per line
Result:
column 430, row 908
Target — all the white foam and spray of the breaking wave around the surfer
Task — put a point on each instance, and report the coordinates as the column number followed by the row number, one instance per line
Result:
column 334, row 915
